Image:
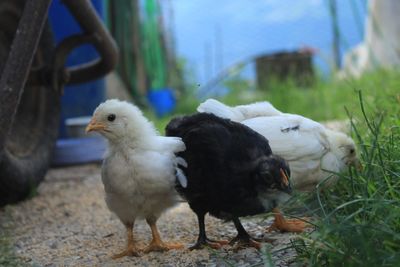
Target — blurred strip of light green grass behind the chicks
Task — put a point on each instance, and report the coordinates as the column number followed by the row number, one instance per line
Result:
column 325, row 100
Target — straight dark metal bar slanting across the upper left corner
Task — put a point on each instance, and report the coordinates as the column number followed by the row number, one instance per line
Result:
column 19, row 61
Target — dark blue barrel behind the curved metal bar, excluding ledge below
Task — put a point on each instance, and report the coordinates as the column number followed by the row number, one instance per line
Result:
column 78, row 100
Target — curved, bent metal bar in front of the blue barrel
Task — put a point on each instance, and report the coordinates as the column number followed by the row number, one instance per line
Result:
column 92, row 26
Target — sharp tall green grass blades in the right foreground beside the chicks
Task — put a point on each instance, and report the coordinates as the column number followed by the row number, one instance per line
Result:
column 359, row 219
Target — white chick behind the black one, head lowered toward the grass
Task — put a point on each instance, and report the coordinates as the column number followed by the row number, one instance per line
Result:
column 315, row 154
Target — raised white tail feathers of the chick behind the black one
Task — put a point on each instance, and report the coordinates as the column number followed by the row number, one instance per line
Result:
column 221, row 110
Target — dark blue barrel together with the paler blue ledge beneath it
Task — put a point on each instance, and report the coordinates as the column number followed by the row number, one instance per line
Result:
column 77, row 100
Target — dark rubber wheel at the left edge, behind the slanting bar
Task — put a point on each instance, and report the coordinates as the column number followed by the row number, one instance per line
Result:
column 29, row 146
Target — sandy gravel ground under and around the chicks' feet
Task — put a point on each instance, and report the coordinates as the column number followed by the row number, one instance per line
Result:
column 68, row 224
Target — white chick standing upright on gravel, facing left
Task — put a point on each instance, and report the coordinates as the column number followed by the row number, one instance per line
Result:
column 139, row 171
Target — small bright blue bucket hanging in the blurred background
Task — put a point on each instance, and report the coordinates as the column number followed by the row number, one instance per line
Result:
column 162, row 101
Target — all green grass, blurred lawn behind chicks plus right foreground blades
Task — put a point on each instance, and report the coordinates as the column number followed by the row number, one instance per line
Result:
column 358, row 220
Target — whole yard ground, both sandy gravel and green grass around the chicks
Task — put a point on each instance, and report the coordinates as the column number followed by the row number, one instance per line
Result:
column 357, row 222
